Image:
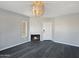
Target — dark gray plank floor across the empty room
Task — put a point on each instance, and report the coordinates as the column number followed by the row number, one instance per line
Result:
column 41, row 49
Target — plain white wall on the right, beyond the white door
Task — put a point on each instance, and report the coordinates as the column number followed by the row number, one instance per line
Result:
column 67, row 29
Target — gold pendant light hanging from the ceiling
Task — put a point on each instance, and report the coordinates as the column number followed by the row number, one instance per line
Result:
column 38, row 8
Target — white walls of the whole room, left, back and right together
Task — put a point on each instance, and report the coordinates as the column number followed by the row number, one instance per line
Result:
column 66, row 29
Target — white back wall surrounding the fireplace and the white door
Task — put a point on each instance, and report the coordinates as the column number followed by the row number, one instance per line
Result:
column 36, row 24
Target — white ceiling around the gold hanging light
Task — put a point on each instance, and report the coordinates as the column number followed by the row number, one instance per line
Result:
column 52, row 8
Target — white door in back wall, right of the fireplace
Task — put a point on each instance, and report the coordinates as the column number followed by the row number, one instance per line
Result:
column 47, row 31
